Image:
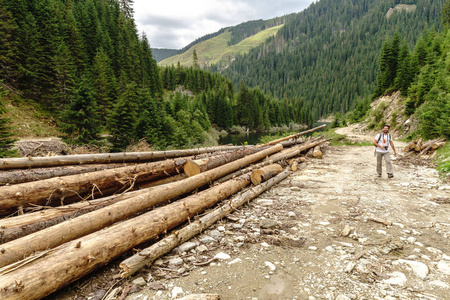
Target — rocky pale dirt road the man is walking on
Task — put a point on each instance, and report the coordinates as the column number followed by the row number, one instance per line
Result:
column 332, row 230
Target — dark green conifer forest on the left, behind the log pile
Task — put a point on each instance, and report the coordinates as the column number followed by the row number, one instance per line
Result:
column 83, row 62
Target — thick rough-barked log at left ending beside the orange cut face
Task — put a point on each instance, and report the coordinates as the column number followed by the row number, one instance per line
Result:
column 45, row 192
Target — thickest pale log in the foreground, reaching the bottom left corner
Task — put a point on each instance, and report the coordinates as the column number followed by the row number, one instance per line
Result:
column 77, row 258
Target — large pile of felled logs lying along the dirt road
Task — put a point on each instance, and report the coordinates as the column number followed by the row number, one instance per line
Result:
column 65, row 227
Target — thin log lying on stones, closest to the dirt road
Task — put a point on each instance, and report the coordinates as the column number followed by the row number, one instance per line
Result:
column 148, row 255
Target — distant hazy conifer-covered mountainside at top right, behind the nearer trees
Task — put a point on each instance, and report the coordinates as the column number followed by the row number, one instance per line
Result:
column 328, row 54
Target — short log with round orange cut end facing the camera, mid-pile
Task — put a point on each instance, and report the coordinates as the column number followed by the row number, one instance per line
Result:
column 194, row 167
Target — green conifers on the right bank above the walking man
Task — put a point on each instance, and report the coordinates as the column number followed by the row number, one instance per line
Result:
column 422, row 76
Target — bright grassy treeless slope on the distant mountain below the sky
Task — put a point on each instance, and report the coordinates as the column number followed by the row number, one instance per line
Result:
column 216, row 50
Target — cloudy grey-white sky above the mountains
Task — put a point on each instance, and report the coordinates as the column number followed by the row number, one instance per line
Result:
column 176, row 23
